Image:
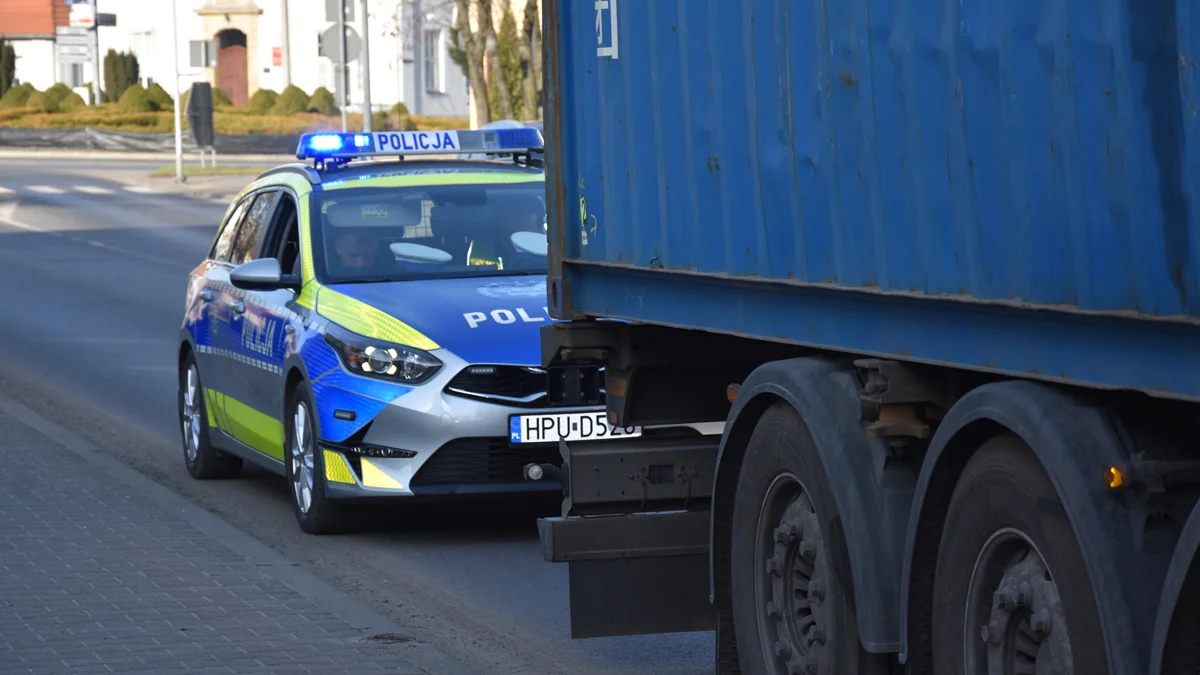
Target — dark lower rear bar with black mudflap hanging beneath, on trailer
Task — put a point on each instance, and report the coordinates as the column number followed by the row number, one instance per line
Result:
column 634, row 575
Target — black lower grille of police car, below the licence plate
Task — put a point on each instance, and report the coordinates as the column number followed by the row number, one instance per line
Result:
column 481, row 462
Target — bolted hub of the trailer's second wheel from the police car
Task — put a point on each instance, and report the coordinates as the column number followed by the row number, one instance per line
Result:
column 1025, row 631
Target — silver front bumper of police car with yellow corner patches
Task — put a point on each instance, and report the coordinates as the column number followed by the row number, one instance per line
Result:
column 459, row 446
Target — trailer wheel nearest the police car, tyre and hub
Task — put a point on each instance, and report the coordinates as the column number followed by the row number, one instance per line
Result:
column 793, row 601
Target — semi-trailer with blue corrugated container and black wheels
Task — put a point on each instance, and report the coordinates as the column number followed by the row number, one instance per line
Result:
column 934, row 268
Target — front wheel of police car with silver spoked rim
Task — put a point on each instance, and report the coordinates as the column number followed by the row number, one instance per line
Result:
column 305, row 470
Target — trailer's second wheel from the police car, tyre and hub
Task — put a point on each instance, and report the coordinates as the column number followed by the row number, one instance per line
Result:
column 1012, row 593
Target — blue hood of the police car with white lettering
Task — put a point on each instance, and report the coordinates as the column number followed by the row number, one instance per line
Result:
column 494, row 320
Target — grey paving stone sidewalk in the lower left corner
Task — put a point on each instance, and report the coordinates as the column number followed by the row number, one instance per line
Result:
column 95, row 577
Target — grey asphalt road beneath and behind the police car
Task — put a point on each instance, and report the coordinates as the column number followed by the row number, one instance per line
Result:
column 92, row 291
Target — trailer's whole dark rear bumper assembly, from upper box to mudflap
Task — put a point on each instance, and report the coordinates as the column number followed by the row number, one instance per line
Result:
column 634, row 534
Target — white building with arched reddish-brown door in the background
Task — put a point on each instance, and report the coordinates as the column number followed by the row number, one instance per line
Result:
column 242, row 46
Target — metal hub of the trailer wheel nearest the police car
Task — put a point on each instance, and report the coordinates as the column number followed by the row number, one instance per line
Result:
column 799, row 590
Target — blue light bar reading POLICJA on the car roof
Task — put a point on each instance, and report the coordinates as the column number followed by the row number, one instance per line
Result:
column 355, row 146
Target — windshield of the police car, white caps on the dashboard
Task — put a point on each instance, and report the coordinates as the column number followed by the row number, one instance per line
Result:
column 368, row 235
